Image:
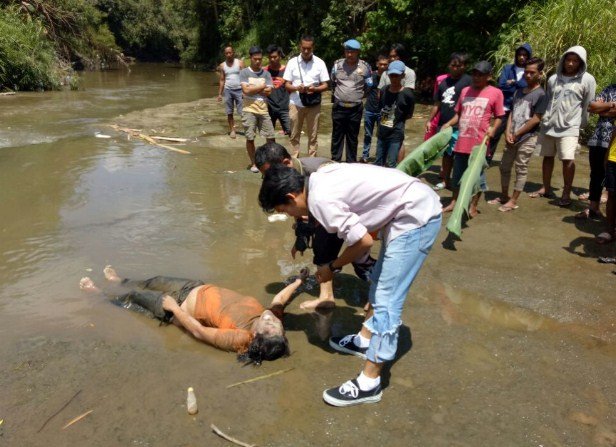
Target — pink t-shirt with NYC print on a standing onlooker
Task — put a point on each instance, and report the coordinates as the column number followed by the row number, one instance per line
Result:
column 476, row 108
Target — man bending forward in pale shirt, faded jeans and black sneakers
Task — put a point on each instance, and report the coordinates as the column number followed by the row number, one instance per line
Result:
column 355, row 200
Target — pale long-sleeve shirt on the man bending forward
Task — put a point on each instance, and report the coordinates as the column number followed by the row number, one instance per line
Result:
column 353, row 199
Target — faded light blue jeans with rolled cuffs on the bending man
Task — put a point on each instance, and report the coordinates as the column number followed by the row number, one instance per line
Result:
column 392, row 276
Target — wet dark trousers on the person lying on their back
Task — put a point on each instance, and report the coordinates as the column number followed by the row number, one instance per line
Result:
column 149, row 293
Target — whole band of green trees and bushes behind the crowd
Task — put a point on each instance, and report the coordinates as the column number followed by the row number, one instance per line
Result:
column 41, row 38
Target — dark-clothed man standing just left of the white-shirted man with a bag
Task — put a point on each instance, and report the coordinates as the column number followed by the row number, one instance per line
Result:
column 278, row 100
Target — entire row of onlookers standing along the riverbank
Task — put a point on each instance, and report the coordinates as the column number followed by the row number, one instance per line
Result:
column 531, row 119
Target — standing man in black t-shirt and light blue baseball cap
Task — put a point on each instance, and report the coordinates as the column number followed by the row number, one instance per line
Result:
column 396, row 105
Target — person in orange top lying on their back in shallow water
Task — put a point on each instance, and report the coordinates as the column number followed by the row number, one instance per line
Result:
column 219, row 317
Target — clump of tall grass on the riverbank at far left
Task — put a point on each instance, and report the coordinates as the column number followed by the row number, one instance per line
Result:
column 28, row 58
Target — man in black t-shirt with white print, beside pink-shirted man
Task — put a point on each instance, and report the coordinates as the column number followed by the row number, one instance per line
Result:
column 445, row 99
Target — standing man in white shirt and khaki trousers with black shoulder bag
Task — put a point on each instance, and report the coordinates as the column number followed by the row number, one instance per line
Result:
column 306, row 78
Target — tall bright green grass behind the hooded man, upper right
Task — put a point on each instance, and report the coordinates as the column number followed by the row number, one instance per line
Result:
column 553, row 26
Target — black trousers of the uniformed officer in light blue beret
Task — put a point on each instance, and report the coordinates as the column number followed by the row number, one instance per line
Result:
column 345, row 129
